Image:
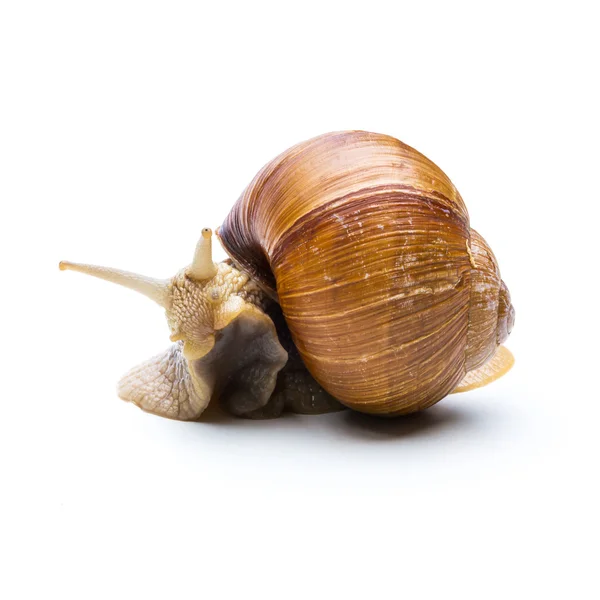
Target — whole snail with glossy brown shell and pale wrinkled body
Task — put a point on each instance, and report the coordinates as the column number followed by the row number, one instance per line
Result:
column 354, row 280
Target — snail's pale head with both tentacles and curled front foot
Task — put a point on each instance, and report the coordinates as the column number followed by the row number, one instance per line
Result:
column 224, row 346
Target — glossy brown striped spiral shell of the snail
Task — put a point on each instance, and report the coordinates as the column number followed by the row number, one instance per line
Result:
column 390, row 297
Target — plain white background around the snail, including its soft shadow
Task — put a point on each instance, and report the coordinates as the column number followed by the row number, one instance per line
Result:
column 126, row 127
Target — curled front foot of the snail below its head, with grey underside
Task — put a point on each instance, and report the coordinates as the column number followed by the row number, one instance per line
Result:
column 241, row 369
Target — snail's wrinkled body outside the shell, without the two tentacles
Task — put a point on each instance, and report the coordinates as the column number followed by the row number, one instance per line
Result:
column 232, row 346
